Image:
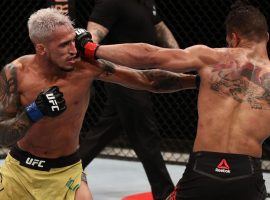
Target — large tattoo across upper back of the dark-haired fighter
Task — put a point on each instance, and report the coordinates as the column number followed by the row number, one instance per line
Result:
column 245, row 84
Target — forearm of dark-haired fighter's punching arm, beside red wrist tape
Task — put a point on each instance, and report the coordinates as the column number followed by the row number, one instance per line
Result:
column 132, row 55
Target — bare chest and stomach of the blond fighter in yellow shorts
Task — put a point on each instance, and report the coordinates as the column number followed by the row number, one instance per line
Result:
column 58, row 136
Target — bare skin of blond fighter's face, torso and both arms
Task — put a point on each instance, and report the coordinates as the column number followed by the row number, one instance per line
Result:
column 52, row 137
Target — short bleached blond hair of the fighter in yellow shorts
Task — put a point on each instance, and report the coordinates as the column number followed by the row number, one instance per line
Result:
column 44, row 21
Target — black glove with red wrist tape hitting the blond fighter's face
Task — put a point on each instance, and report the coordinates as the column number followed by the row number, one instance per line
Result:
column 84, row 44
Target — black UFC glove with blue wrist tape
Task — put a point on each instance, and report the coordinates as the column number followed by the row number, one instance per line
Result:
column 49, row 103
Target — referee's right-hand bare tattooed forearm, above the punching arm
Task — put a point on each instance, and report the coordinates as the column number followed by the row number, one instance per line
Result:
column 165, row 37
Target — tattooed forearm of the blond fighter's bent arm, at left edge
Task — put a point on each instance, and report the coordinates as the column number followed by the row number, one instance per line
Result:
column 12, row 130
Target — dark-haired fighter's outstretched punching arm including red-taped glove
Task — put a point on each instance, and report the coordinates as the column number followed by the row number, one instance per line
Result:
column 148, row 56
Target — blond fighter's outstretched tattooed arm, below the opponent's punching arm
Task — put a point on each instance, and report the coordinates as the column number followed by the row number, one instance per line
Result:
column 154, row 80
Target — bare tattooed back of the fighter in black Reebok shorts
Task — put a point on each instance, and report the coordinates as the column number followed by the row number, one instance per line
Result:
column 234, row 105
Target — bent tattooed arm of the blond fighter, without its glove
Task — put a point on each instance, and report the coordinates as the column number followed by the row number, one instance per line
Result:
column 13, row 122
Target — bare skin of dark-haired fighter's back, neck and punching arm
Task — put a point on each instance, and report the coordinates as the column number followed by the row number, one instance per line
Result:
column 233, row 103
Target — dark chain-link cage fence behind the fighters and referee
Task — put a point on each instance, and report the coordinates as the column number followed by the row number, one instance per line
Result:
column 191, row 22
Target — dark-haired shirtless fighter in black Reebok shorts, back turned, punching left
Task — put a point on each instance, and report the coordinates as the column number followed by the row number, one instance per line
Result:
column 233, row 105
